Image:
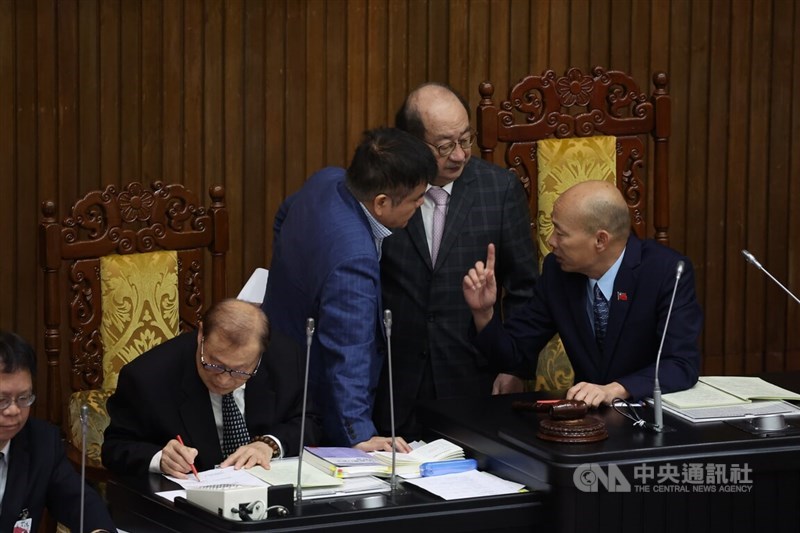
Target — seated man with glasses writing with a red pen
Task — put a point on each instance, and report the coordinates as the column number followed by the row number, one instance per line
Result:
column 216, row 396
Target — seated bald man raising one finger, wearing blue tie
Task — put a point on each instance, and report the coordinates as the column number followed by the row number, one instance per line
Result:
column 592, row 246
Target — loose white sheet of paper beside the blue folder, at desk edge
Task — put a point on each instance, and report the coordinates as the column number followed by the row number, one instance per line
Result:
column 470, row 484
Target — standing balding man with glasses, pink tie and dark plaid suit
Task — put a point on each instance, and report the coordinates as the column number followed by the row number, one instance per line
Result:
column 470, row 204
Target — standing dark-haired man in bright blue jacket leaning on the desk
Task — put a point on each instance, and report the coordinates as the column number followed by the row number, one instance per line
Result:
column 325, row 266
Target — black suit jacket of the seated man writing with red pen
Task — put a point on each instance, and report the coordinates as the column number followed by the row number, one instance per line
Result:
column 160, row 395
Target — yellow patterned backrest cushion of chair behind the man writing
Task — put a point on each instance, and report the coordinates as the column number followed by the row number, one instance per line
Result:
column 140, row 307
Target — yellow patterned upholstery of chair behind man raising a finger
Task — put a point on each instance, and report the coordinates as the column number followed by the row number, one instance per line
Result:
column 561, row 164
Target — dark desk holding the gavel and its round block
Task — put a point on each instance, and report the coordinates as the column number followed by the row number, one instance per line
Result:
column 505, row 442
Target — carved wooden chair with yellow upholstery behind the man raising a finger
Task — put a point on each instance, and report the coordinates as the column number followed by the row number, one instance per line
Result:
column 559, row 130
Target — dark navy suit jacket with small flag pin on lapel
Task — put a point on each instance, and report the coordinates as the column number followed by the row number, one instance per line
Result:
column 638, row 311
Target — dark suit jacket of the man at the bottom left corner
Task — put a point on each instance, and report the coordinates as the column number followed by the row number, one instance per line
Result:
column 39, row 476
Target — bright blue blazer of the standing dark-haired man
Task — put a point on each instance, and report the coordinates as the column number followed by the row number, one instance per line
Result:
column 325, row 267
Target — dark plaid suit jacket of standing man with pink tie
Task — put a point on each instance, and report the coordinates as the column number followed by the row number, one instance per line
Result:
column 430, row 318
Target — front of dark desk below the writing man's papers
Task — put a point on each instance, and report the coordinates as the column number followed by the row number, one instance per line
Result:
column 136, row 508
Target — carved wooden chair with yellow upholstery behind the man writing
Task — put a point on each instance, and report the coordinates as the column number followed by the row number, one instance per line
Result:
column 123, row 272
